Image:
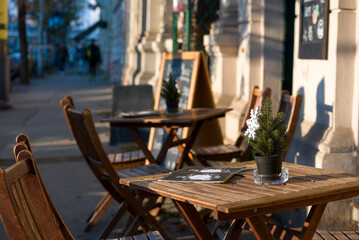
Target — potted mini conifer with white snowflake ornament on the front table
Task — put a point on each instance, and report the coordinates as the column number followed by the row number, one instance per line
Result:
column 269, row 137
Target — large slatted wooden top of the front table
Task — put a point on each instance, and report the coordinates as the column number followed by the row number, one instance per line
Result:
column 241, row 197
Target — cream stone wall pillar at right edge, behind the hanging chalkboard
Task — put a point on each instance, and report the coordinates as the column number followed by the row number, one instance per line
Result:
column 325, row 137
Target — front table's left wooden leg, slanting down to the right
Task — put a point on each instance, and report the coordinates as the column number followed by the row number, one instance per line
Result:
column 195, row 221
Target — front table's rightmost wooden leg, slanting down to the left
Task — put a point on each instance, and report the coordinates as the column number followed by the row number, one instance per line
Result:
column 312, row 221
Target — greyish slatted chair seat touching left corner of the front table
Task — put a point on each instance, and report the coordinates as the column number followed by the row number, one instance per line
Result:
column 142, row 171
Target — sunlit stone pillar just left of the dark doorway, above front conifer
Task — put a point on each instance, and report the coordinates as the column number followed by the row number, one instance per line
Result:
column 260, row 47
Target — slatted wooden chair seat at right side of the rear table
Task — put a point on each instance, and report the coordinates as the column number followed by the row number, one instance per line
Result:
column 224, row 152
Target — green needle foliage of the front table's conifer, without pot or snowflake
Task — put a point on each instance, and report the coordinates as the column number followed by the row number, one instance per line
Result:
column 271, row 137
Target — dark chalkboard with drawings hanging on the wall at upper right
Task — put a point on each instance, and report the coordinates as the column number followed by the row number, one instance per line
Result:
column 313, row 42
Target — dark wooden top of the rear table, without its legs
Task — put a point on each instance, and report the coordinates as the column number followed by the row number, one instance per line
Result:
column 184, row 119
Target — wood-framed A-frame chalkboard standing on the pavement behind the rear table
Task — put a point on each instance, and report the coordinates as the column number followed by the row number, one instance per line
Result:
column 191, row 71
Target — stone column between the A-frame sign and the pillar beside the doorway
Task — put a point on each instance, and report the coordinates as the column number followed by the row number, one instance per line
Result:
column 222, row 46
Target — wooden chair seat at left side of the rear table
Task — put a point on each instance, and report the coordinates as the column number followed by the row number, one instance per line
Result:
column 127, row 159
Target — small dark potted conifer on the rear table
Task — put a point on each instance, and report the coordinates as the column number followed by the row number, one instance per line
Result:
column 171, row 93
